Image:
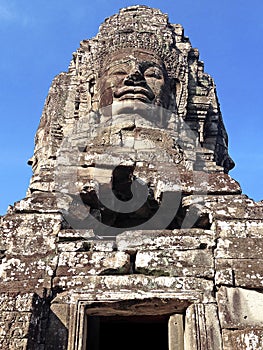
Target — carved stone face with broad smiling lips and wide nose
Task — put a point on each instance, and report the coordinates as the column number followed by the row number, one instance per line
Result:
column 134, row 76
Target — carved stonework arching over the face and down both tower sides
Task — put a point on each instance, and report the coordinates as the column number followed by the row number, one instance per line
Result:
column 74, row 94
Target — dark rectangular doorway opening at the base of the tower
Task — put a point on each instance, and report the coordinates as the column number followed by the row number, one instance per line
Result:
column 128, row 332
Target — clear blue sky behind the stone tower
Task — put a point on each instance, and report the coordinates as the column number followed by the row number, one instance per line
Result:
column 39, row 36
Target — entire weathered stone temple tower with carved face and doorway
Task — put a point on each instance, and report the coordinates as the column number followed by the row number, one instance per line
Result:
column 132, row 234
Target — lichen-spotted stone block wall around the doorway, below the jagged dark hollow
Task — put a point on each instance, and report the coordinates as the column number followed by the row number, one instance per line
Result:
column 214, row 275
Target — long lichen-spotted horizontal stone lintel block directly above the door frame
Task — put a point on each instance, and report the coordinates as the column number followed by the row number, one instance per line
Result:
column 138, row 286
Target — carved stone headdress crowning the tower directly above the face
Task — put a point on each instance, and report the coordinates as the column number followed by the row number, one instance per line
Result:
column 137, row 27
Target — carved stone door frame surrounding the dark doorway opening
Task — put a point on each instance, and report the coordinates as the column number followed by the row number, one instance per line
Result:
column 174, row 308
